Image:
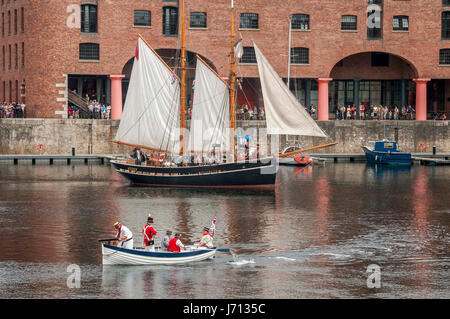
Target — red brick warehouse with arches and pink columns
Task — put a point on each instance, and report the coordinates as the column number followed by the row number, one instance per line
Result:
column 390, row 52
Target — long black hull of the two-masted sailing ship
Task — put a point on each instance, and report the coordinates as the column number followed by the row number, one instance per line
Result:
column 231, row 175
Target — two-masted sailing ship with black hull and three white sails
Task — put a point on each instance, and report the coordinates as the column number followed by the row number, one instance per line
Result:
column 155, row 106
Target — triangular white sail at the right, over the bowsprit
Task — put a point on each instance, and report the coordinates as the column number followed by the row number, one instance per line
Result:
column 284, row 113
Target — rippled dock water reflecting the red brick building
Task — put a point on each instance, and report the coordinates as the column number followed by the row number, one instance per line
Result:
column 313, row 237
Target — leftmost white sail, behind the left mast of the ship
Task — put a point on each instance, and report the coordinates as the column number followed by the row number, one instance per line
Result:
column 151, row 114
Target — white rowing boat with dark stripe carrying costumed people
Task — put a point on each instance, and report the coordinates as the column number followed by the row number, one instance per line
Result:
column 113, row 255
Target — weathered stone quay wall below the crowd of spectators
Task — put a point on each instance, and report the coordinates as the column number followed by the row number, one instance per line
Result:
column 59, row 136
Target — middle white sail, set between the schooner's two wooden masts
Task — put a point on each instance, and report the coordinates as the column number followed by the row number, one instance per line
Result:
column 210, row 112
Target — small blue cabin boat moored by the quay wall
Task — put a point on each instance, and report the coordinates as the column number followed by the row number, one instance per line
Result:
column 386, row 152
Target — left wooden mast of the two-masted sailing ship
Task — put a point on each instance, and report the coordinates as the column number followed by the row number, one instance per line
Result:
column 183, row 79
